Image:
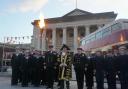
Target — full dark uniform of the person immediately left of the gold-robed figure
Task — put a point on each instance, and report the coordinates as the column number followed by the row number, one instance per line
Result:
column 51, row 60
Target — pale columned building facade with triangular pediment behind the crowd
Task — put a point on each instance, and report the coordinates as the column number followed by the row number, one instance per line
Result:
column 69, row 29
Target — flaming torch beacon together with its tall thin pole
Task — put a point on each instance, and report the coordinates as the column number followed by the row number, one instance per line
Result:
column 41, row 26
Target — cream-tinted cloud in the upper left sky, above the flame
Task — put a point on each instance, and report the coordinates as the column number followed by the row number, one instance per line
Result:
column 28, row 5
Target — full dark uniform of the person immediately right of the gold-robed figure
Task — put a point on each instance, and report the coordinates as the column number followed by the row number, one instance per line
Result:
column 80, row 62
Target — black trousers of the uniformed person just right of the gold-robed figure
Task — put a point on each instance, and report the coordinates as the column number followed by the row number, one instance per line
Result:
column 80, row 77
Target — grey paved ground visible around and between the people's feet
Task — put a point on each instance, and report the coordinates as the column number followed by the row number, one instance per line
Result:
column 5, row 83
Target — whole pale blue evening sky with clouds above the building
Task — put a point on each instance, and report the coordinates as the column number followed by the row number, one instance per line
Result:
column 16, row 15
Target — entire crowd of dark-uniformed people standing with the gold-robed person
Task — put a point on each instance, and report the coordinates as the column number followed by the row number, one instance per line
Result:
column 46, row 68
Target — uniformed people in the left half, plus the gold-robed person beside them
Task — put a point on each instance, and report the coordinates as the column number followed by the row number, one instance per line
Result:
column 42, row 68
